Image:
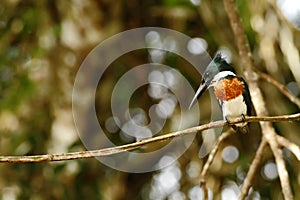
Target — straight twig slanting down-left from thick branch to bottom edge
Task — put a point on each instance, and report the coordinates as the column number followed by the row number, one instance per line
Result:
column 253, row 169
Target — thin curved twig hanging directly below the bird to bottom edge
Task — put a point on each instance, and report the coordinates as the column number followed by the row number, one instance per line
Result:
column 209, row 161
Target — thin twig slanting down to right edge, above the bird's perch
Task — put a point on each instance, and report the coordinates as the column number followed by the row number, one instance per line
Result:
column 280, row 87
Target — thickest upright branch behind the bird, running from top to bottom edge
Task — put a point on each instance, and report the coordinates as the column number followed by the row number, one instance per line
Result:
column 258, row 101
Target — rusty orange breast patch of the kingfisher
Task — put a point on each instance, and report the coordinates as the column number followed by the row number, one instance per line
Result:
column 227, row 89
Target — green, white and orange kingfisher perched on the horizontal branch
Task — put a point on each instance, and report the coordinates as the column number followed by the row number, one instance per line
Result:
column 230, row 90
